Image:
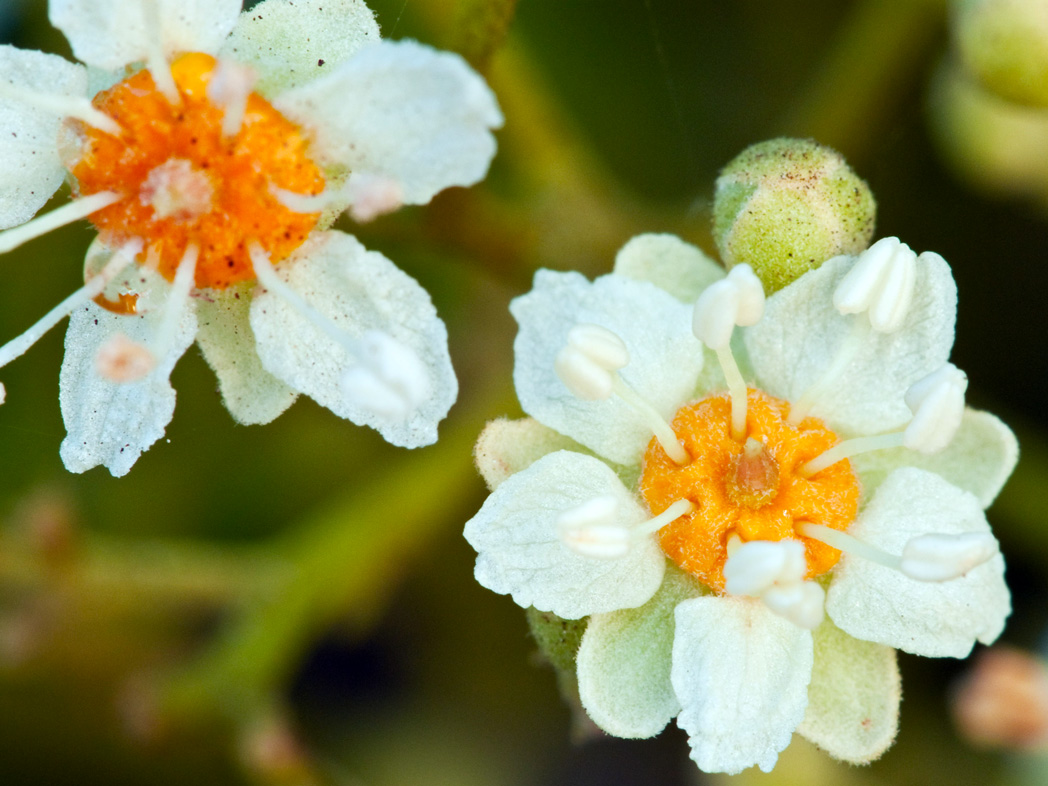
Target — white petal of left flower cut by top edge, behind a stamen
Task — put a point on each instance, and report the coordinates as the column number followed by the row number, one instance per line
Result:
column 113, row 34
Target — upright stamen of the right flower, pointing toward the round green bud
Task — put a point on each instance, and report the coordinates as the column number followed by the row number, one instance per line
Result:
column 735, row 300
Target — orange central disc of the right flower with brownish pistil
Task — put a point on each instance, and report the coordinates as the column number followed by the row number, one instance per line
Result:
column 753, row 490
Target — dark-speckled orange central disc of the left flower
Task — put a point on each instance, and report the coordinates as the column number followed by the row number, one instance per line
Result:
column 185, row 183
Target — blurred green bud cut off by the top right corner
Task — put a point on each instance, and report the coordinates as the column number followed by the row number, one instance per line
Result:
column 1005, row 43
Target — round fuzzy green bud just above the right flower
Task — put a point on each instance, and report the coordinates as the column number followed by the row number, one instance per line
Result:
column 784, row 207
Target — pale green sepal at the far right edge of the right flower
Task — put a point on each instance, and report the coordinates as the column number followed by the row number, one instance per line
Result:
column 979, row 460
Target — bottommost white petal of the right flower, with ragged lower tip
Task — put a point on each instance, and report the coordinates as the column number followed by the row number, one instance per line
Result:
column 741, row 674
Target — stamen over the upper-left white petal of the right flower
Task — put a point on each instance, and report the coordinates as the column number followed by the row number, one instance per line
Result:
column 588, row 367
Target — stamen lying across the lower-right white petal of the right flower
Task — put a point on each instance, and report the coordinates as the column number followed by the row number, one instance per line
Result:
column 927, row 558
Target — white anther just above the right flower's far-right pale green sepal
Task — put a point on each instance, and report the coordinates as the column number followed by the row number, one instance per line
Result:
column 938, row 406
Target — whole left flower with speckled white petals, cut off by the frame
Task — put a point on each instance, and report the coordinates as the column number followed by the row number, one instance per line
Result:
column 213, row 149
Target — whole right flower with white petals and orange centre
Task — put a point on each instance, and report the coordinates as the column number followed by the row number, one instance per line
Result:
column 751, row 567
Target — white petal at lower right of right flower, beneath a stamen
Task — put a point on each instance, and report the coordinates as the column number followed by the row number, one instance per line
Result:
column 936, row 620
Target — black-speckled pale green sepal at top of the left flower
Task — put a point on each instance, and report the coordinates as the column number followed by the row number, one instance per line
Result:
column 291, row 42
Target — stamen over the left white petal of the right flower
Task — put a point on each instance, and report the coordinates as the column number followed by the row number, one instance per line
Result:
column 593, row 530
